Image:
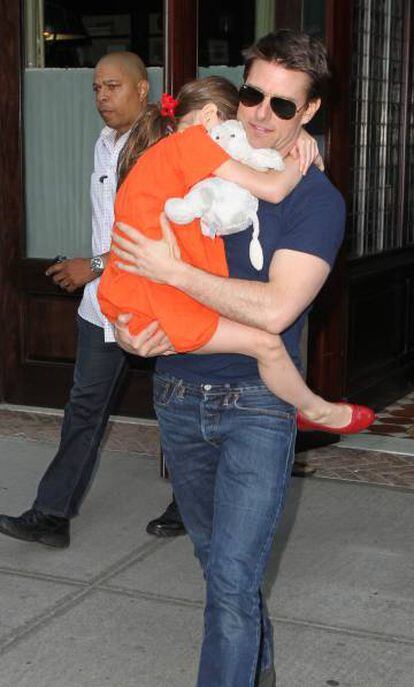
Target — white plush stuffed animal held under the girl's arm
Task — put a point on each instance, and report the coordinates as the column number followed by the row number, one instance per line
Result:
column 222, row 206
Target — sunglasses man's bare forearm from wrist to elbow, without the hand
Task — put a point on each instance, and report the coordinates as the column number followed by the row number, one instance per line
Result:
column 240, row 300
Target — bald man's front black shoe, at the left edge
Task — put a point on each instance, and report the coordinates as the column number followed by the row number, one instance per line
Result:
column 36, row 526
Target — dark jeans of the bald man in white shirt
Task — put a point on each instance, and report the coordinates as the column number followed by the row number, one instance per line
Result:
column 98, row 370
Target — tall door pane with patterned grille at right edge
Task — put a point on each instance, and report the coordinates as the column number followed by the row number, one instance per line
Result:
column 382, row 138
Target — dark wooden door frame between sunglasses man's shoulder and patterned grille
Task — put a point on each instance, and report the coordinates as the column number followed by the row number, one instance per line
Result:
column 328, row 327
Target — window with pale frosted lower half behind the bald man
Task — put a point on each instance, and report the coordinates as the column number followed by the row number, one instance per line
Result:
column 64, row 40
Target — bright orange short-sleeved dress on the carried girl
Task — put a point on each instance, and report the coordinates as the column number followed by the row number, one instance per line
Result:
column 167, row 169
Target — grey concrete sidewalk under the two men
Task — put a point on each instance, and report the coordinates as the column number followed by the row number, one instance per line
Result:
column 123, row 609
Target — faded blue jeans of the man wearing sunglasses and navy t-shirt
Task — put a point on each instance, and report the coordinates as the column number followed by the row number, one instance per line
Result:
column 229, row 450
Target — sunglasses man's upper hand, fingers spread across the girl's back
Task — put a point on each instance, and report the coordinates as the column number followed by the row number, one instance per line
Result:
column 155, row 260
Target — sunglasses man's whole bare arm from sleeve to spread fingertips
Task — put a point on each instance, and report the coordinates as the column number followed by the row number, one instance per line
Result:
column 295, row 278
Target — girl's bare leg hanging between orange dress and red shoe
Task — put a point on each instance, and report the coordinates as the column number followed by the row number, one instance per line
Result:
column 276, row 370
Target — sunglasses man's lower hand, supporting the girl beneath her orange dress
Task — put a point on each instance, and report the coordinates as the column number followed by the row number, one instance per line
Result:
column 150, row 342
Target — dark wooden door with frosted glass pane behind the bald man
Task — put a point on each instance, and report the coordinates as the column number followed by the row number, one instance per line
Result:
column 62, row 41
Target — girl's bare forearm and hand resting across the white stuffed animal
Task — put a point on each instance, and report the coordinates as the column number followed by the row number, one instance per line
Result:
column 271, row 185
